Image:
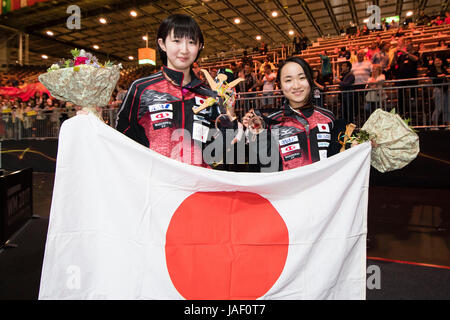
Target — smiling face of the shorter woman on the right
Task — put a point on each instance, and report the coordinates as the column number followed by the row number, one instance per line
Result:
column 295, row 85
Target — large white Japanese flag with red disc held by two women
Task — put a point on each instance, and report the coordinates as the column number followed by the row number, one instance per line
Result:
column 129, row 223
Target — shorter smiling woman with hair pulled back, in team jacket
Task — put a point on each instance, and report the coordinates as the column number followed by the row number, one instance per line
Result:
column 300, row 133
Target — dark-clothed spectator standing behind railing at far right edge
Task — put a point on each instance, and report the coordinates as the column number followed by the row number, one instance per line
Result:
column 438, row 71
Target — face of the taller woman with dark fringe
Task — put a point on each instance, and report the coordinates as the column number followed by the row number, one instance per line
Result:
column 181, row 52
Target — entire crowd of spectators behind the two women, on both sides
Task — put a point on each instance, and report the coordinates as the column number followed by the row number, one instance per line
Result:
column 359, row 68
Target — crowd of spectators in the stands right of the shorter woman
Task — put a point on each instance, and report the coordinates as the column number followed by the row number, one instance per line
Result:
column 397, row 59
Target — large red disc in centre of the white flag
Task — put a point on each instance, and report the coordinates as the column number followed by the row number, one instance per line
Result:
column 225, row 245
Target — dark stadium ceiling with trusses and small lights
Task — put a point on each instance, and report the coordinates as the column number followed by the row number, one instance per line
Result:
column 122, row 35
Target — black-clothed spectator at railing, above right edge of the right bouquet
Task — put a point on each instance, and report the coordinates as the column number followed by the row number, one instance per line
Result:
column 405, row 67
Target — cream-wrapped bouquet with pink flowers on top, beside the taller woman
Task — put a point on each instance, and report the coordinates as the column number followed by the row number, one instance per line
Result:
column 82, row 80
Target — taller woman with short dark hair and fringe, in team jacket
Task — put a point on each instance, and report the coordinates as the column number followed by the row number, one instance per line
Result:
column 157, row 106
